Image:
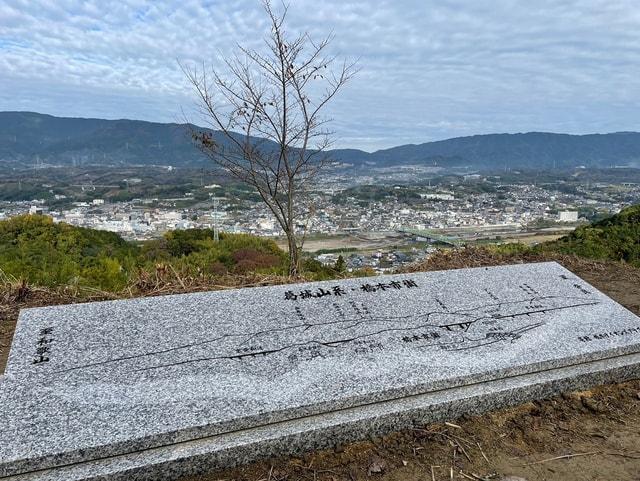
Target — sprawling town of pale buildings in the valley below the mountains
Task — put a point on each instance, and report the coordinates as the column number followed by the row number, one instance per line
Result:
column 381, row 218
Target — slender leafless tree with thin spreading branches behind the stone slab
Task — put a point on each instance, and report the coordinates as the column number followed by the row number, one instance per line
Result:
column 267, row 105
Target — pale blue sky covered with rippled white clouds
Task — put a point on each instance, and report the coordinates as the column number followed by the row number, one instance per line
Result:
column 429, row 69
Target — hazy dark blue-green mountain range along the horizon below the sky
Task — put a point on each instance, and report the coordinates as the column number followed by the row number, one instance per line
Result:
column 29, row 138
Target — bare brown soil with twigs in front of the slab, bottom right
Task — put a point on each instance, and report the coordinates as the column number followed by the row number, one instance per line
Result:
column 591, row 435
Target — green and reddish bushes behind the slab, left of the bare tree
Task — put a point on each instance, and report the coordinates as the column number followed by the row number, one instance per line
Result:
column 41, row 252
